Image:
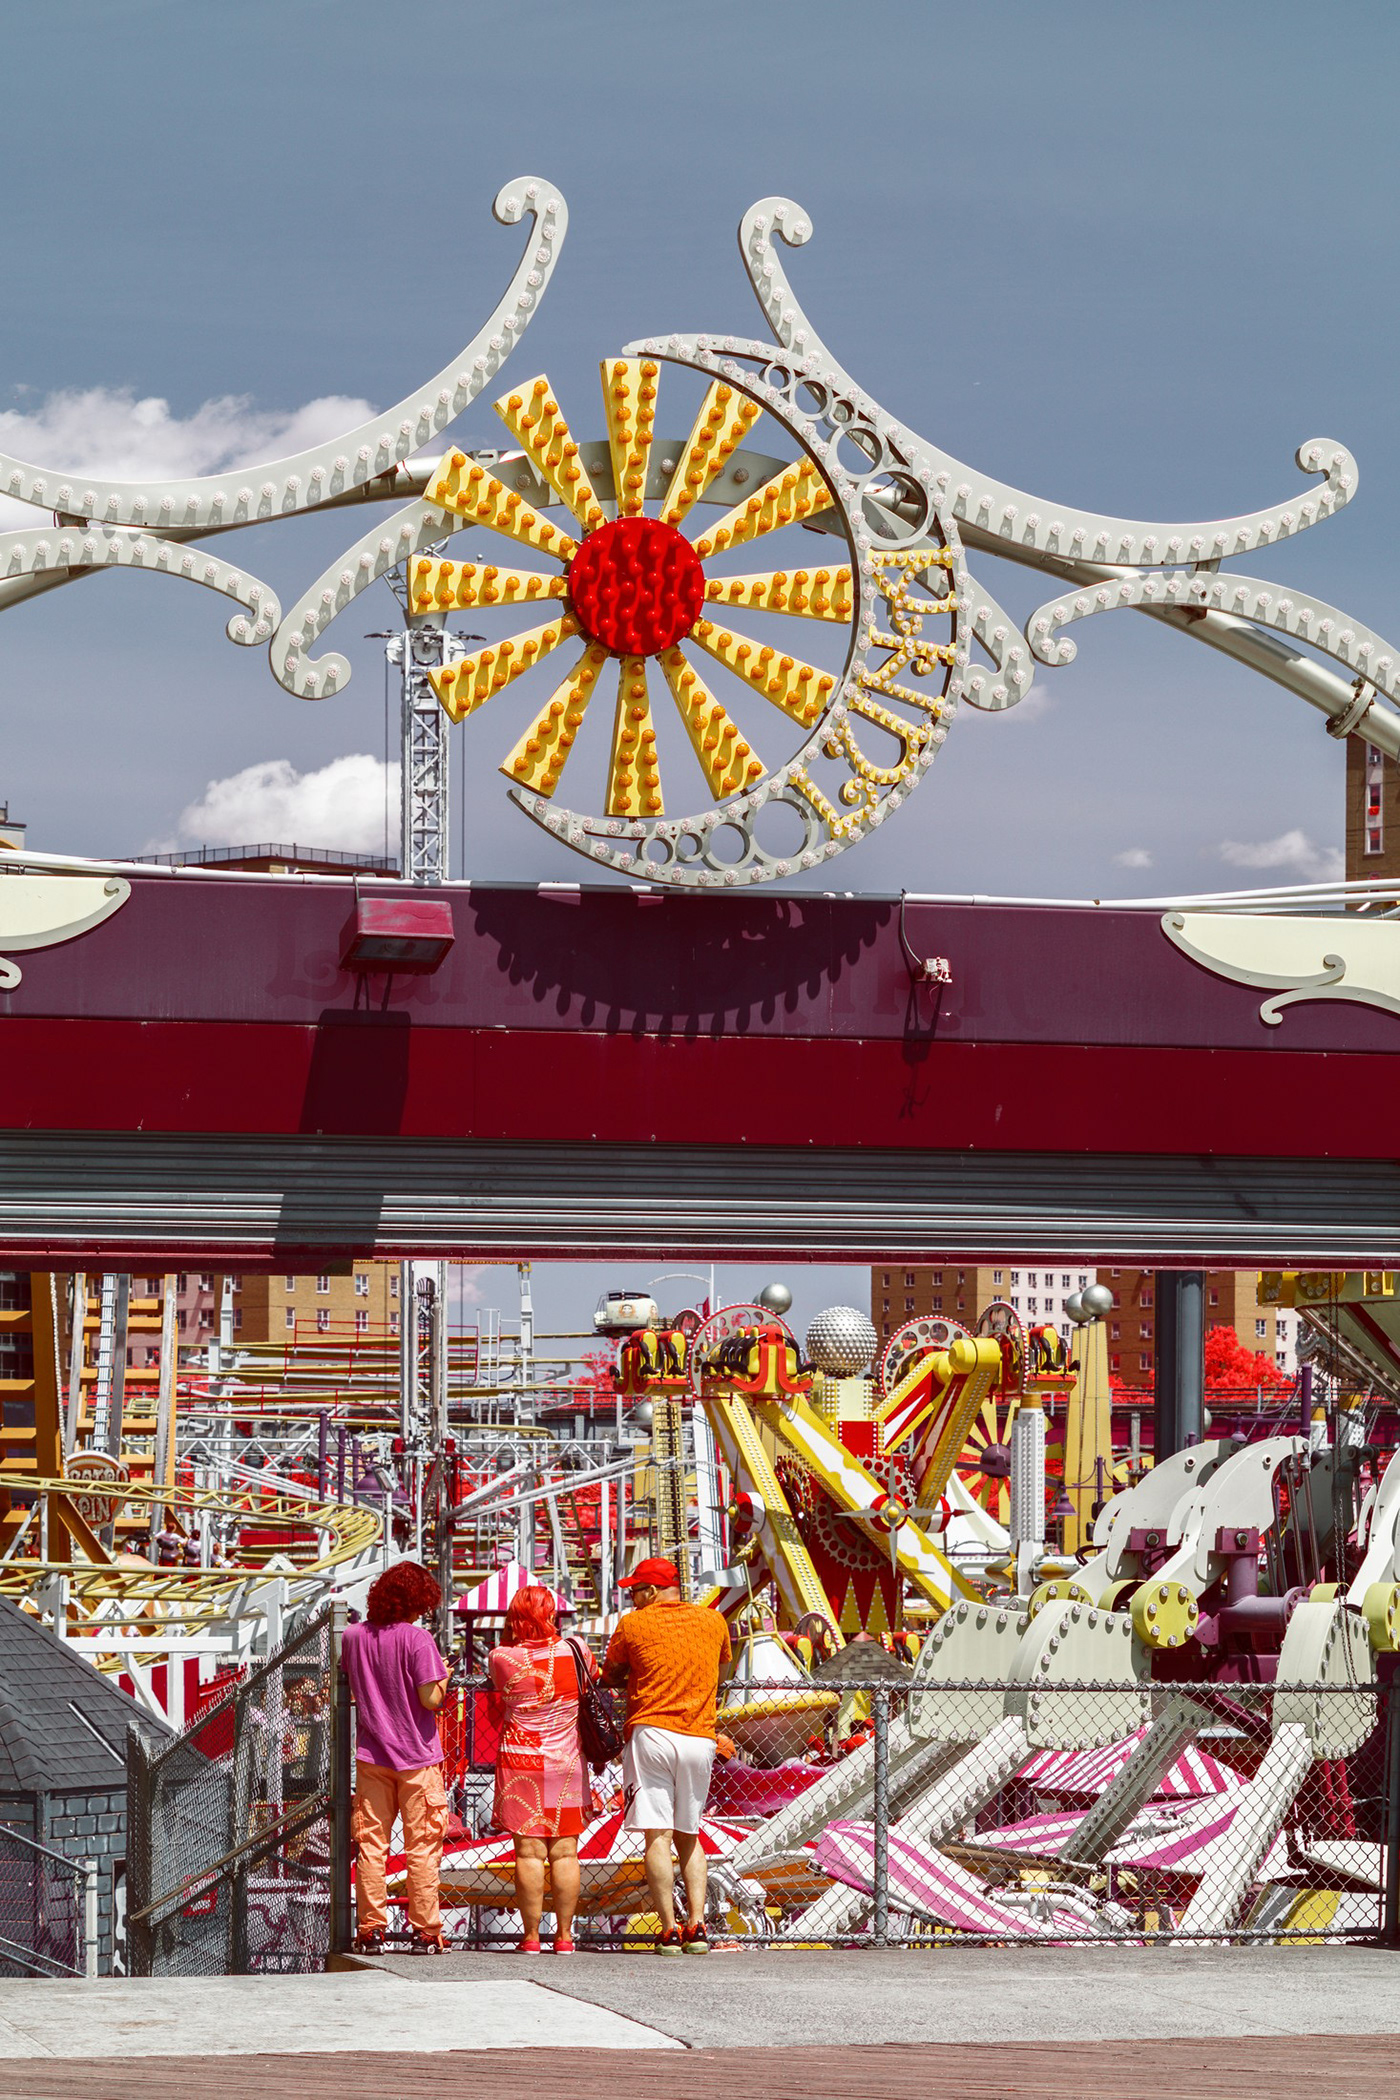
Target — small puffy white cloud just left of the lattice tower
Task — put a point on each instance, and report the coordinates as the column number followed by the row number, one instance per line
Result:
column 343, row 807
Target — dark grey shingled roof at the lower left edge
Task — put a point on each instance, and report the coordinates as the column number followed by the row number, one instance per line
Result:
column 60, row 1719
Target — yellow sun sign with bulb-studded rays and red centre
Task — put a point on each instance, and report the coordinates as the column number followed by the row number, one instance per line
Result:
column 635, row 589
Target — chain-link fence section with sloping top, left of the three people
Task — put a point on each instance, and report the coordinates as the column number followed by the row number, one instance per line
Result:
column 238, row 1832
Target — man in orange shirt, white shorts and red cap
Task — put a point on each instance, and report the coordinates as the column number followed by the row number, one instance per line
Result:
column 669, row 1656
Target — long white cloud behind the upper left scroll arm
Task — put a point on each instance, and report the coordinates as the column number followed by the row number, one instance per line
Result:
column 112, row 432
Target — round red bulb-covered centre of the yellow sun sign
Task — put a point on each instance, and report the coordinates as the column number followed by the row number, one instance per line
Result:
column 637, row 587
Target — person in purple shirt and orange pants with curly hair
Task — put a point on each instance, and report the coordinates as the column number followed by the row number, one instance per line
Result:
column 398, row 1681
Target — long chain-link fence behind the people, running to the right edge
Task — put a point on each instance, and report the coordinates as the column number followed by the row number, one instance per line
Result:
column 897, row 1813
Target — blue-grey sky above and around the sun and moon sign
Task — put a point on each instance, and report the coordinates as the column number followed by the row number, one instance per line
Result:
column 1122, row 257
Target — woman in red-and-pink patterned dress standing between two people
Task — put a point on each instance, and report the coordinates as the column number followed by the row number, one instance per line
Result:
column 543, row 1788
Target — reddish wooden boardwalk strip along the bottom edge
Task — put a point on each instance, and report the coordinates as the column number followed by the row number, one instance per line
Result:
column 1271, row 2067
